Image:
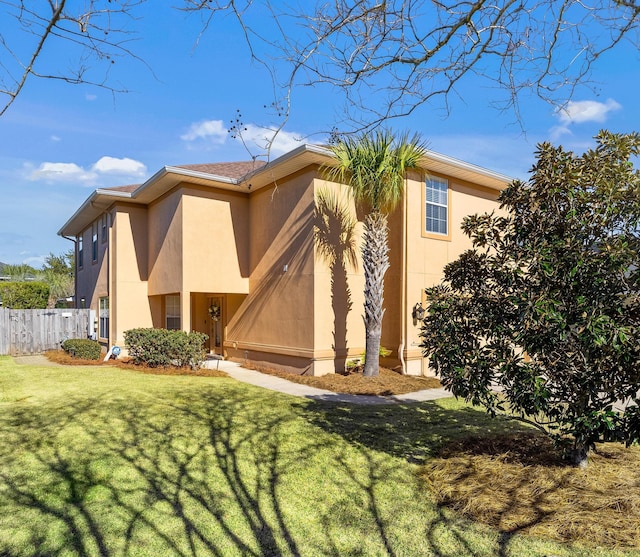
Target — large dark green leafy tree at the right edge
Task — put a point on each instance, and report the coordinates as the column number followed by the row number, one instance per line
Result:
column 541, row 318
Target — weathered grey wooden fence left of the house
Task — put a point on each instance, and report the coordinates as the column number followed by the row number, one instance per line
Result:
column 33, row 331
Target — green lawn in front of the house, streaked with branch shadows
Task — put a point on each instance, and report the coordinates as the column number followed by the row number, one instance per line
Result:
column 101, row 461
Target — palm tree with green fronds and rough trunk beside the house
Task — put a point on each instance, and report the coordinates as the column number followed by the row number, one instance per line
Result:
column 374, row 166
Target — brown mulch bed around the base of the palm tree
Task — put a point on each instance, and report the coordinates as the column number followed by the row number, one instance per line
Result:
column 388, row 383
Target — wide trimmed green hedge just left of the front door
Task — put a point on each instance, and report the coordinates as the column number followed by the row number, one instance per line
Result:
column 161, row 348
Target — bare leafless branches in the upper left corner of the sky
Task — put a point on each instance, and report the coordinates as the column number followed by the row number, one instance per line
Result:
column 39, row 38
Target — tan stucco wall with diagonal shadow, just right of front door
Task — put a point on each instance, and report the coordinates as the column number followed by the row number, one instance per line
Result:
column 277, row 315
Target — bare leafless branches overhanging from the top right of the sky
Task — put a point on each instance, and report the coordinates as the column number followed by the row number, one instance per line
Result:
column 388, row 57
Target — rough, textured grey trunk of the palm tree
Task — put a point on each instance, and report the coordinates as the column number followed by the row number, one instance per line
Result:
column 375, row 260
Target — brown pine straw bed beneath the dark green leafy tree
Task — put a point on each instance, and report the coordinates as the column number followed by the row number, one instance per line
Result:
column 519, row 483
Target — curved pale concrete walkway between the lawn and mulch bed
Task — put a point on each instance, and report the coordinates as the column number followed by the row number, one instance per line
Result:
column 273, row 383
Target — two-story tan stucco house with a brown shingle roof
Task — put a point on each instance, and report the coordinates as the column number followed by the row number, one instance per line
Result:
column 228, row 249
